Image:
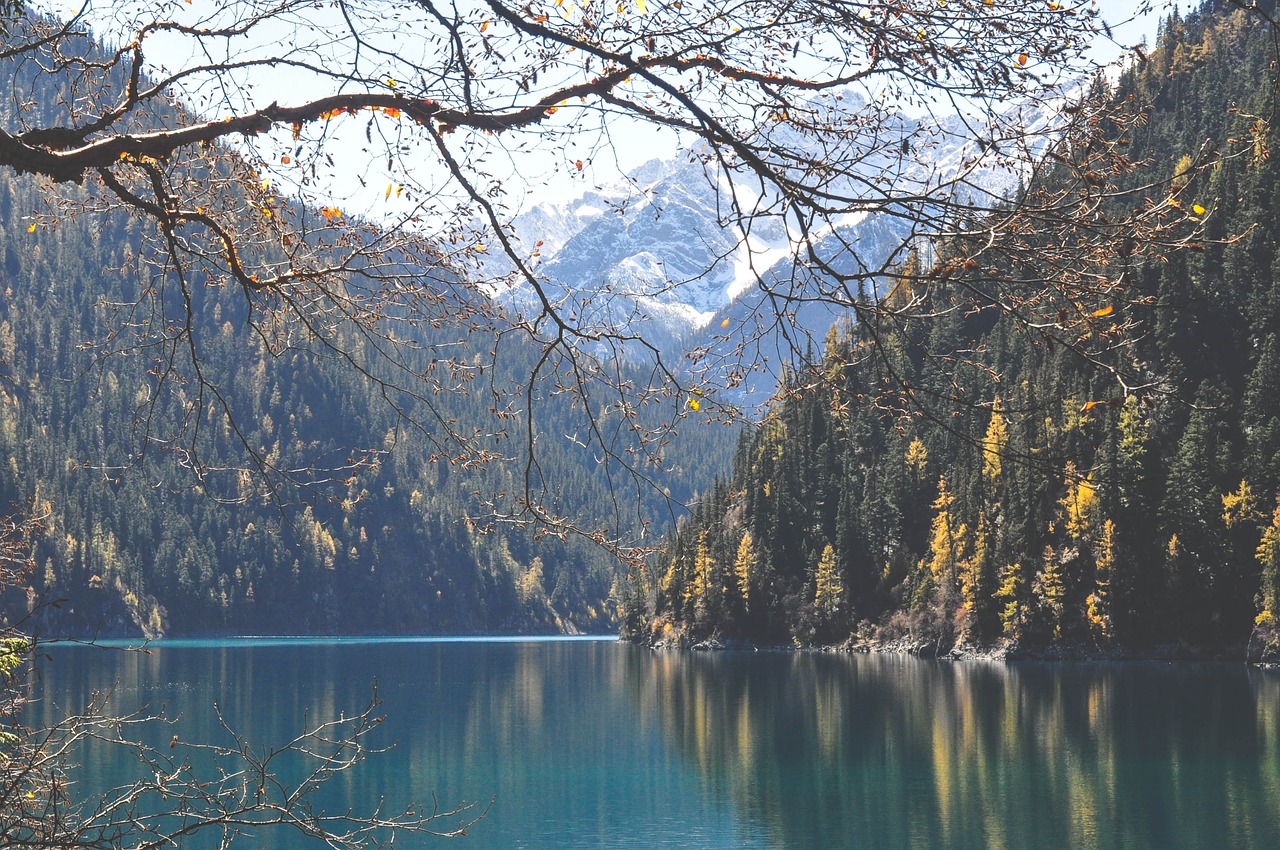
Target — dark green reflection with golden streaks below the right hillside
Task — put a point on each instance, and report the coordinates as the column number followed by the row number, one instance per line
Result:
column 886, row 752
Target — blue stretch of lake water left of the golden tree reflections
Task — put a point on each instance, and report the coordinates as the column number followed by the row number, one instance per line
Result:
column 547, row 732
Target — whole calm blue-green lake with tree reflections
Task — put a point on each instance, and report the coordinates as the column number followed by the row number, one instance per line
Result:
column 600, row 744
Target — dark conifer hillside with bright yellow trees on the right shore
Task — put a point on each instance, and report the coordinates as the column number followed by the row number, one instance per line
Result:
column 1018, row 491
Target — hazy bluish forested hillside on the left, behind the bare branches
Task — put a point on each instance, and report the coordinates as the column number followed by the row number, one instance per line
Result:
column 157, row 520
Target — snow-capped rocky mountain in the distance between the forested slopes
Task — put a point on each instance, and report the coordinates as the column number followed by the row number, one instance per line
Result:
column 668, row 254
